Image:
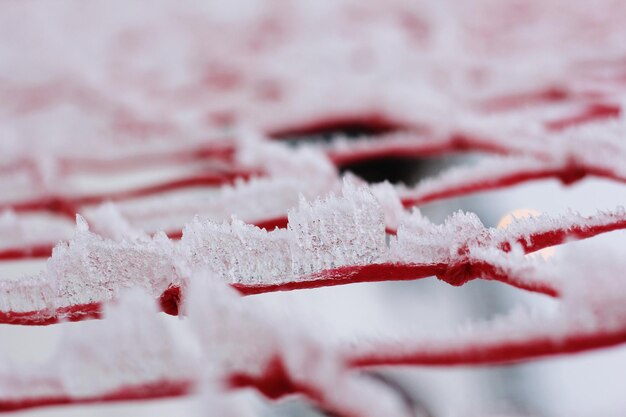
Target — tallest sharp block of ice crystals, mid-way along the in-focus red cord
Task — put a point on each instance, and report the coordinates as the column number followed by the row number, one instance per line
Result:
column 324, row 234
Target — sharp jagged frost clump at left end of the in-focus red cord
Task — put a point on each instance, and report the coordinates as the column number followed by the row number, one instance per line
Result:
column 87, row 271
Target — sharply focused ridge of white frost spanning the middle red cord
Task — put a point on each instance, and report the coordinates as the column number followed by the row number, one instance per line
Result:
column 322, row 235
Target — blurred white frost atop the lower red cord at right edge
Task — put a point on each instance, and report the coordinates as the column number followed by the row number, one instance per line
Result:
column 591, row 305
